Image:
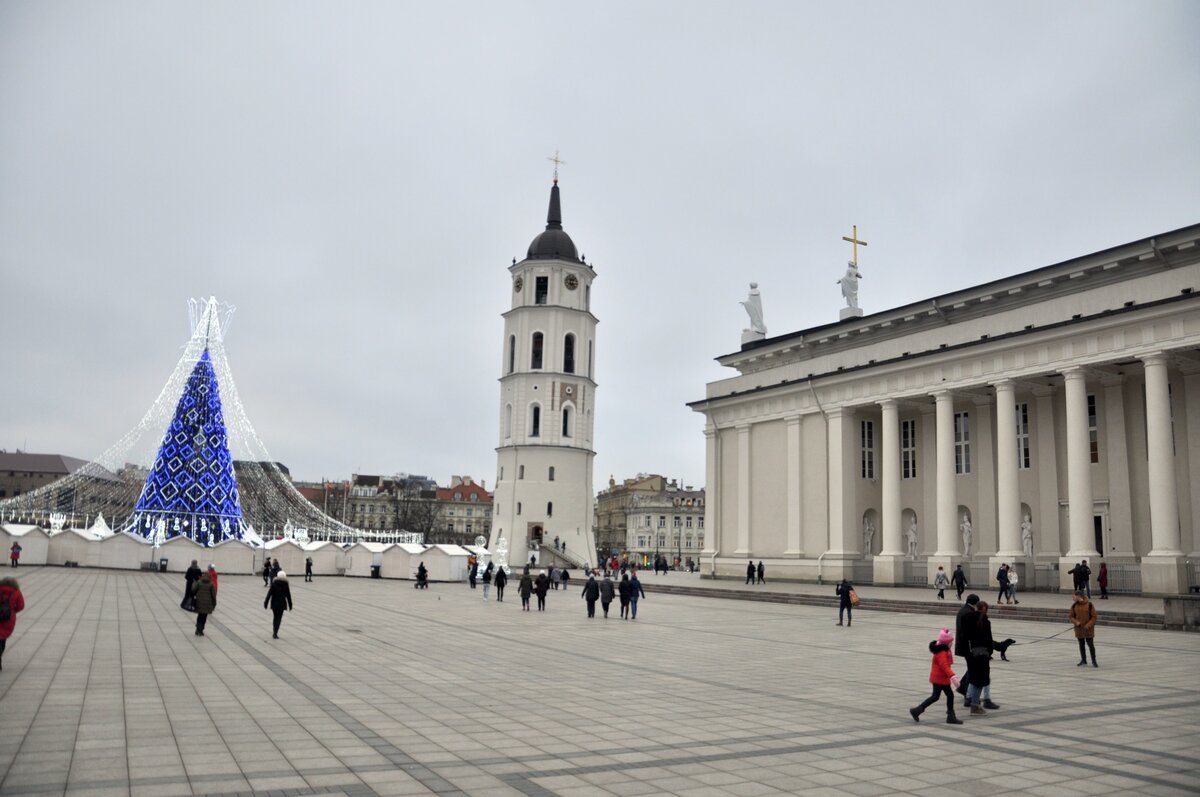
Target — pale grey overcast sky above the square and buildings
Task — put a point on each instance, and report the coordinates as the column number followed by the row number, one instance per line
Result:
column 357, row 178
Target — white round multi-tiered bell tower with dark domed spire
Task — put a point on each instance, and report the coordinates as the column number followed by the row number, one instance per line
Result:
column 548, row 402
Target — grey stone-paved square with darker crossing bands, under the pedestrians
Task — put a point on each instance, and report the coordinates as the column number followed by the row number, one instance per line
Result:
column 376, row 688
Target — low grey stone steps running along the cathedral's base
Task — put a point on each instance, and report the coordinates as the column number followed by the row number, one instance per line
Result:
column 1033, row 614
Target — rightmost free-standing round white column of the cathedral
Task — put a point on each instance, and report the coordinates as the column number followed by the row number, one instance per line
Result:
column 1165, row 508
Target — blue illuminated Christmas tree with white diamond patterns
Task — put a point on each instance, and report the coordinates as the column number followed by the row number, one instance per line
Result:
column 191, row 489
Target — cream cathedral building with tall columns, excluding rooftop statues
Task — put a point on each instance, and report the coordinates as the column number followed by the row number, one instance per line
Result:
column 1039, row 421
